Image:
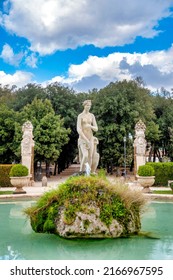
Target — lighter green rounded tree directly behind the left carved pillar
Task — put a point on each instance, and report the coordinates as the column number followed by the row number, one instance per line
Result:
column 49, row 132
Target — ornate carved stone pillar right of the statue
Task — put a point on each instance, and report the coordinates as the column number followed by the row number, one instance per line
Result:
column 139, row 145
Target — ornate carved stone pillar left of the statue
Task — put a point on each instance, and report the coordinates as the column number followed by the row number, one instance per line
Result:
column 27, row 148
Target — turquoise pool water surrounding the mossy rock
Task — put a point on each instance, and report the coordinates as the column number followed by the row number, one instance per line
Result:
column 19, row 241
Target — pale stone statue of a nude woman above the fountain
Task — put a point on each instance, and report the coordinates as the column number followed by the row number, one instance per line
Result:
column 87, row 143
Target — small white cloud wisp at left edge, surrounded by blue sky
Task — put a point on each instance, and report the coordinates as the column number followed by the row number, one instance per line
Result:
column 9, row 56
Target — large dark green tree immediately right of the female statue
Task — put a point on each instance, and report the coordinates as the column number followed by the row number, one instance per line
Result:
column 117, row 108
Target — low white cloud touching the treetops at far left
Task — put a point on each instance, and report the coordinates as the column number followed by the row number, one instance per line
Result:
column 19, row 78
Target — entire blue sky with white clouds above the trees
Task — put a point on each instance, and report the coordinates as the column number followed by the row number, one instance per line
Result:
column 86, row 44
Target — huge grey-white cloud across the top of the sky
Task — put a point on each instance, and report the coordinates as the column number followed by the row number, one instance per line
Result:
column 50, row 25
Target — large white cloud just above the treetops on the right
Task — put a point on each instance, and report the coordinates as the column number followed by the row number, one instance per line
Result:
column 156, row 69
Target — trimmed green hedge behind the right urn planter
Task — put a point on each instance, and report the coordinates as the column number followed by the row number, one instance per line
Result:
column 163, row 172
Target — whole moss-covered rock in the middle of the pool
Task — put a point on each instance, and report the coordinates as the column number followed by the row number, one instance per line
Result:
column 88, row 207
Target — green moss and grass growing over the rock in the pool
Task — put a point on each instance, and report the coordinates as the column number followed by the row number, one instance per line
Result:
column 114, row 201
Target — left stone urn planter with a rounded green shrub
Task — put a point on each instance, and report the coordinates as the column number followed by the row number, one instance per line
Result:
column 19, row 177
